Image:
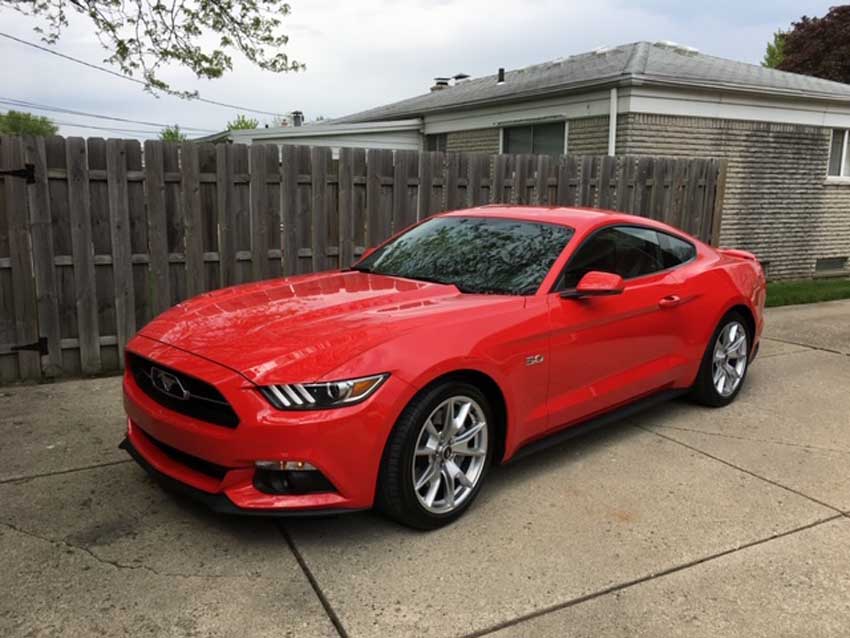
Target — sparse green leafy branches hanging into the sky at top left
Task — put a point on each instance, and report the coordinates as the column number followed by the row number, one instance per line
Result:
column 143, row 35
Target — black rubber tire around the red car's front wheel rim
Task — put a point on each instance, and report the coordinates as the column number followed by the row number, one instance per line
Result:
column 395, row 492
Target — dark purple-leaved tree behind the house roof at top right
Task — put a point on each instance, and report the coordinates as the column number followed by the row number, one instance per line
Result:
column 819, row 46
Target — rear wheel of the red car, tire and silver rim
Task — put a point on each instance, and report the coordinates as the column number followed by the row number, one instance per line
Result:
column 724, row 365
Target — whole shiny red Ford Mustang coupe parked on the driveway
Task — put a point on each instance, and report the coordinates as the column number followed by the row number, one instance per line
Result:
column 468, row 339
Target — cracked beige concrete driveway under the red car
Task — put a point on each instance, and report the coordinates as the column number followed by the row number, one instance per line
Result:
column 683, row 521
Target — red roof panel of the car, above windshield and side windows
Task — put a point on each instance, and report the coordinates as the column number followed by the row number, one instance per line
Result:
column 579, row 218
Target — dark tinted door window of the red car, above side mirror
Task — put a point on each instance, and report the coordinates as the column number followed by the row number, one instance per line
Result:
column 628, row 251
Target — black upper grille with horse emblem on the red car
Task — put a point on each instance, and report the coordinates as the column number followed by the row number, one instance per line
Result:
column 181, row 393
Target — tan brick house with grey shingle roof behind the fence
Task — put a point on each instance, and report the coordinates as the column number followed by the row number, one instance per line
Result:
column 785, row 135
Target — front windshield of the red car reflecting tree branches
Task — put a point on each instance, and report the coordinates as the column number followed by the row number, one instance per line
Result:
column 476, row 254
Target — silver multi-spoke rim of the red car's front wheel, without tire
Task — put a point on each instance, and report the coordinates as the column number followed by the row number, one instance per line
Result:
column 451, row 450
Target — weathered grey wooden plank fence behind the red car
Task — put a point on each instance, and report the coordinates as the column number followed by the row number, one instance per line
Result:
column 108, row 234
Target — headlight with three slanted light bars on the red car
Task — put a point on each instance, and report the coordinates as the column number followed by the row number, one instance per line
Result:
column 318, row 396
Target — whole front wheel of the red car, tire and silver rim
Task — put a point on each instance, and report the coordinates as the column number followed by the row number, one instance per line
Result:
column 437, row 456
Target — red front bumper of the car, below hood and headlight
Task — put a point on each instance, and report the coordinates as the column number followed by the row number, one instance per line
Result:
column 344, row 444
